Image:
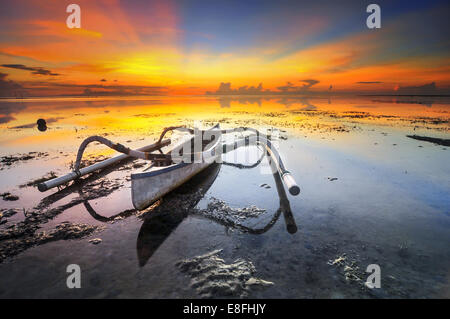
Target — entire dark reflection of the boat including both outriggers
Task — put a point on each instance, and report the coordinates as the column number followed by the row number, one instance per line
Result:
column 162, row 220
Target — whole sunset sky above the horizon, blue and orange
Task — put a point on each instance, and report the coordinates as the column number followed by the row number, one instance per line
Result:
column 191, row 47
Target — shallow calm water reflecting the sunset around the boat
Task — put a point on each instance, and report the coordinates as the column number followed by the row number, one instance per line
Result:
column 369, row 194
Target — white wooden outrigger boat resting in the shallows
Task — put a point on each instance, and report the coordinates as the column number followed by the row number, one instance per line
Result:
column 169, row 170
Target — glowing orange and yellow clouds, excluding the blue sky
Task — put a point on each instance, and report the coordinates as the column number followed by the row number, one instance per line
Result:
column 143, row 48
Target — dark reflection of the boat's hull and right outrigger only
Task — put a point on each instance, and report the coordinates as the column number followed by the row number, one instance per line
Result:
column 158, row 227
